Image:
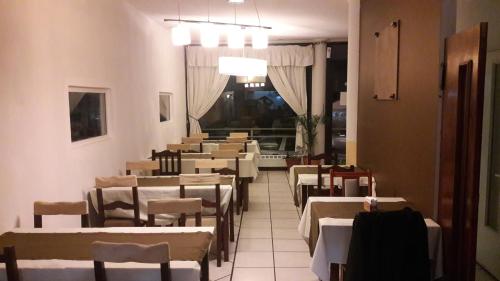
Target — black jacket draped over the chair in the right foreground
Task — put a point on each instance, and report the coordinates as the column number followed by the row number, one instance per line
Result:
column 388, row 246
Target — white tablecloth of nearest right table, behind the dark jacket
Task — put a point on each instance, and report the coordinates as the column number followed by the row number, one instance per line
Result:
column 335, row 237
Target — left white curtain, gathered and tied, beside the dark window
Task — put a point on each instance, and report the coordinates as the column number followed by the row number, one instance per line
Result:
column 204, row 86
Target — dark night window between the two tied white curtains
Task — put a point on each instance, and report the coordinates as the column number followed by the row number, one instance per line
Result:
column 257, row 108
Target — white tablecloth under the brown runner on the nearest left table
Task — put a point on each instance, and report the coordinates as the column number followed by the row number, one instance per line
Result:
column 65, row 270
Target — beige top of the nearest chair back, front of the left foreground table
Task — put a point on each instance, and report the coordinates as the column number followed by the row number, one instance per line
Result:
column 130, row 252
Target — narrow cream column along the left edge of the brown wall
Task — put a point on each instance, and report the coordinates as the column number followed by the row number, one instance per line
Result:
column 352, row 81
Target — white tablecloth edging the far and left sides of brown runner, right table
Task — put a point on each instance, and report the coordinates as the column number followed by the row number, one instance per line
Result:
column 305, row 220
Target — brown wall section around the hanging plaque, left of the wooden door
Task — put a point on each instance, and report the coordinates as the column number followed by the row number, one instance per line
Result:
column 398, row 140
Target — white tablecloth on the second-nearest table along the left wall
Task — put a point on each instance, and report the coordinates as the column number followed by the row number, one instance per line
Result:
column 156, row 193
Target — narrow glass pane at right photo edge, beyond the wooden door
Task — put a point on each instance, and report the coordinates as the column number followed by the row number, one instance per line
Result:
column 493, row 201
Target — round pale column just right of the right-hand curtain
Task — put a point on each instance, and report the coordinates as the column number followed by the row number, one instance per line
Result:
column 318, row 93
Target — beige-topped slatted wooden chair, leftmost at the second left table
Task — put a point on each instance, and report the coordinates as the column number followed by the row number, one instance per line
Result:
column 118, row 181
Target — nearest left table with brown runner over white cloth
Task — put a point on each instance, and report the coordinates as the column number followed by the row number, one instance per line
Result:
column 48, row 254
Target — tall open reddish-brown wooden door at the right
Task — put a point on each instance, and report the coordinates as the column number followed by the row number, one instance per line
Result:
column 462, row 110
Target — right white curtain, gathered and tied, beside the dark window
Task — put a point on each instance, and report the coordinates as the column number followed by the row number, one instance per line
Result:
column 290, row 82
